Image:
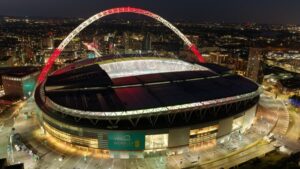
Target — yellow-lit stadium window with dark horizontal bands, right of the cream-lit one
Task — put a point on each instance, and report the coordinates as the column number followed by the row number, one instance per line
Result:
column 203, row 135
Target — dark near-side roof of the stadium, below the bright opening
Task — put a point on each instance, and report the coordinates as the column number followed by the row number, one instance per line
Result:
column 89, row 88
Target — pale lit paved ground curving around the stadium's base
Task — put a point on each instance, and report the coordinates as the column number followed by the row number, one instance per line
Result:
column 239, row 148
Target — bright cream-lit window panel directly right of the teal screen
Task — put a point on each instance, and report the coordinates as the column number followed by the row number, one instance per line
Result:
column 157, row 141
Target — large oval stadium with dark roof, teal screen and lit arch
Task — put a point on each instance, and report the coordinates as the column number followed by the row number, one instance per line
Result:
column 143, row 103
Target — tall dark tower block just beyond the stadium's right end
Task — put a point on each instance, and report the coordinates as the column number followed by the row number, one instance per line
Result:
column 254, row 68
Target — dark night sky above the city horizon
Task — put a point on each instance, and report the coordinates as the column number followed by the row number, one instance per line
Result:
column 260, row 11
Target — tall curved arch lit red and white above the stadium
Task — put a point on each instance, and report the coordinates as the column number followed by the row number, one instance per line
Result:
column 112, row 11
